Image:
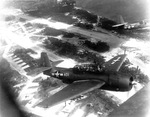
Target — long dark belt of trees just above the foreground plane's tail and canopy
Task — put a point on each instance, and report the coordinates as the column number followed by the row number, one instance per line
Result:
column 71, row 51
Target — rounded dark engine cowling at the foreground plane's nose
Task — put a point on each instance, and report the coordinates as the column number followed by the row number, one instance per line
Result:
column 120, row 82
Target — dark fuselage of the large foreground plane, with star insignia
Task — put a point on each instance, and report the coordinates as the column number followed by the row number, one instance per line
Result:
column 113, row 81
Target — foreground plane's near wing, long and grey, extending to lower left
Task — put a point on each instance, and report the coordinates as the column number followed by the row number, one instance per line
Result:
column 71, row 91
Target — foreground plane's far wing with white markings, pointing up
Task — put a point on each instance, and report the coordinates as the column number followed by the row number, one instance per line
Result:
column 115, row 63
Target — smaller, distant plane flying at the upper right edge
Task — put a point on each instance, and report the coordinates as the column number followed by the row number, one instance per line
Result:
column 130, row 26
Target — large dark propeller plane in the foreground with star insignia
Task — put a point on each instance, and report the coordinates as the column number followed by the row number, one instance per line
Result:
column 85, row 78
